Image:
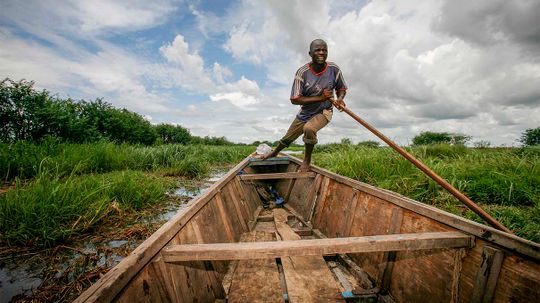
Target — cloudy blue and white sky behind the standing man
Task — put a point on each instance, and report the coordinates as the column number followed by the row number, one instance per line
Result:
column 225, row 68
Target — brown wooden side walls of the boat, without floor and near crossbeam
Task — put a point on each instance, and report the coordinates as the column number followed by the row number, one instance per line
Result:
column 498, row 267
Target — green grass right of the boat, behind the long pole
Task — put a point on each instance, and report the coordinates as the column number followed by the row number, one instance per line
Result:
column 504, row 181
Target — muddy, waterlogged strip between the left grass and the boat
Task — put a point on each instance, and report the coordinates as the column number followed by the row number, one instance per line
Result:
column 61, row 273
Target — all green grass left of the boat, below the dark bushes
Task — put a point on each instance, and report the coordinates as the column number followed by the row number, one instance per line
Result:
column 62, row 190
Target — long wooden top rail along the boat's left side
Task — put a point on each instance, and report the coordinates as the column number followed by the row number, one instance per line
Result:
column 118, row 277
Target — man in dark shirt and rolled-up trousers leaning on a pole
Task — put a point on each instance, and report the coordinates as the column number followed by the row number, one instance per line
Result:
column 313, row 89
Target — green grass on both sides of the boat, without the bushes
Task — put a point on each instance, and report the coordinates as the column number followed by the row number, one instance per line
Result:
column 66, row 189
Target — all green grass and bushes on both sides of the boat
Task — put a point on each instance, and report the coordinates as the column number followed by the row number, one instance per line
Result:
column 74, row 164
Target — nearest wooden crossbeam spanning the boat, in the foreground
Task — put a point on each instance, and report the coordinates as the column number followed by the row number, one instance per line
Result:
column 328, row 246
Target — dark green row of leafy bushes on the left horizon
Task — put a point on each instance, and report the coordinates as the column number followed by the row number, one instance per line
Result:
column 31, row 115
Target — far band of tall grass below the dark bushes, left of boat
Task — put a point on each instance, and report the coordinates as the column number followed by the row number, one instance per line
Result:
column 23, row 159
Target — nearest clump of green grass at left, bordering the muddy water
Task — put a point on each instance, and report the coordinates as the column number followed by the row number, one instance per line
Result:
column 50, row 209
